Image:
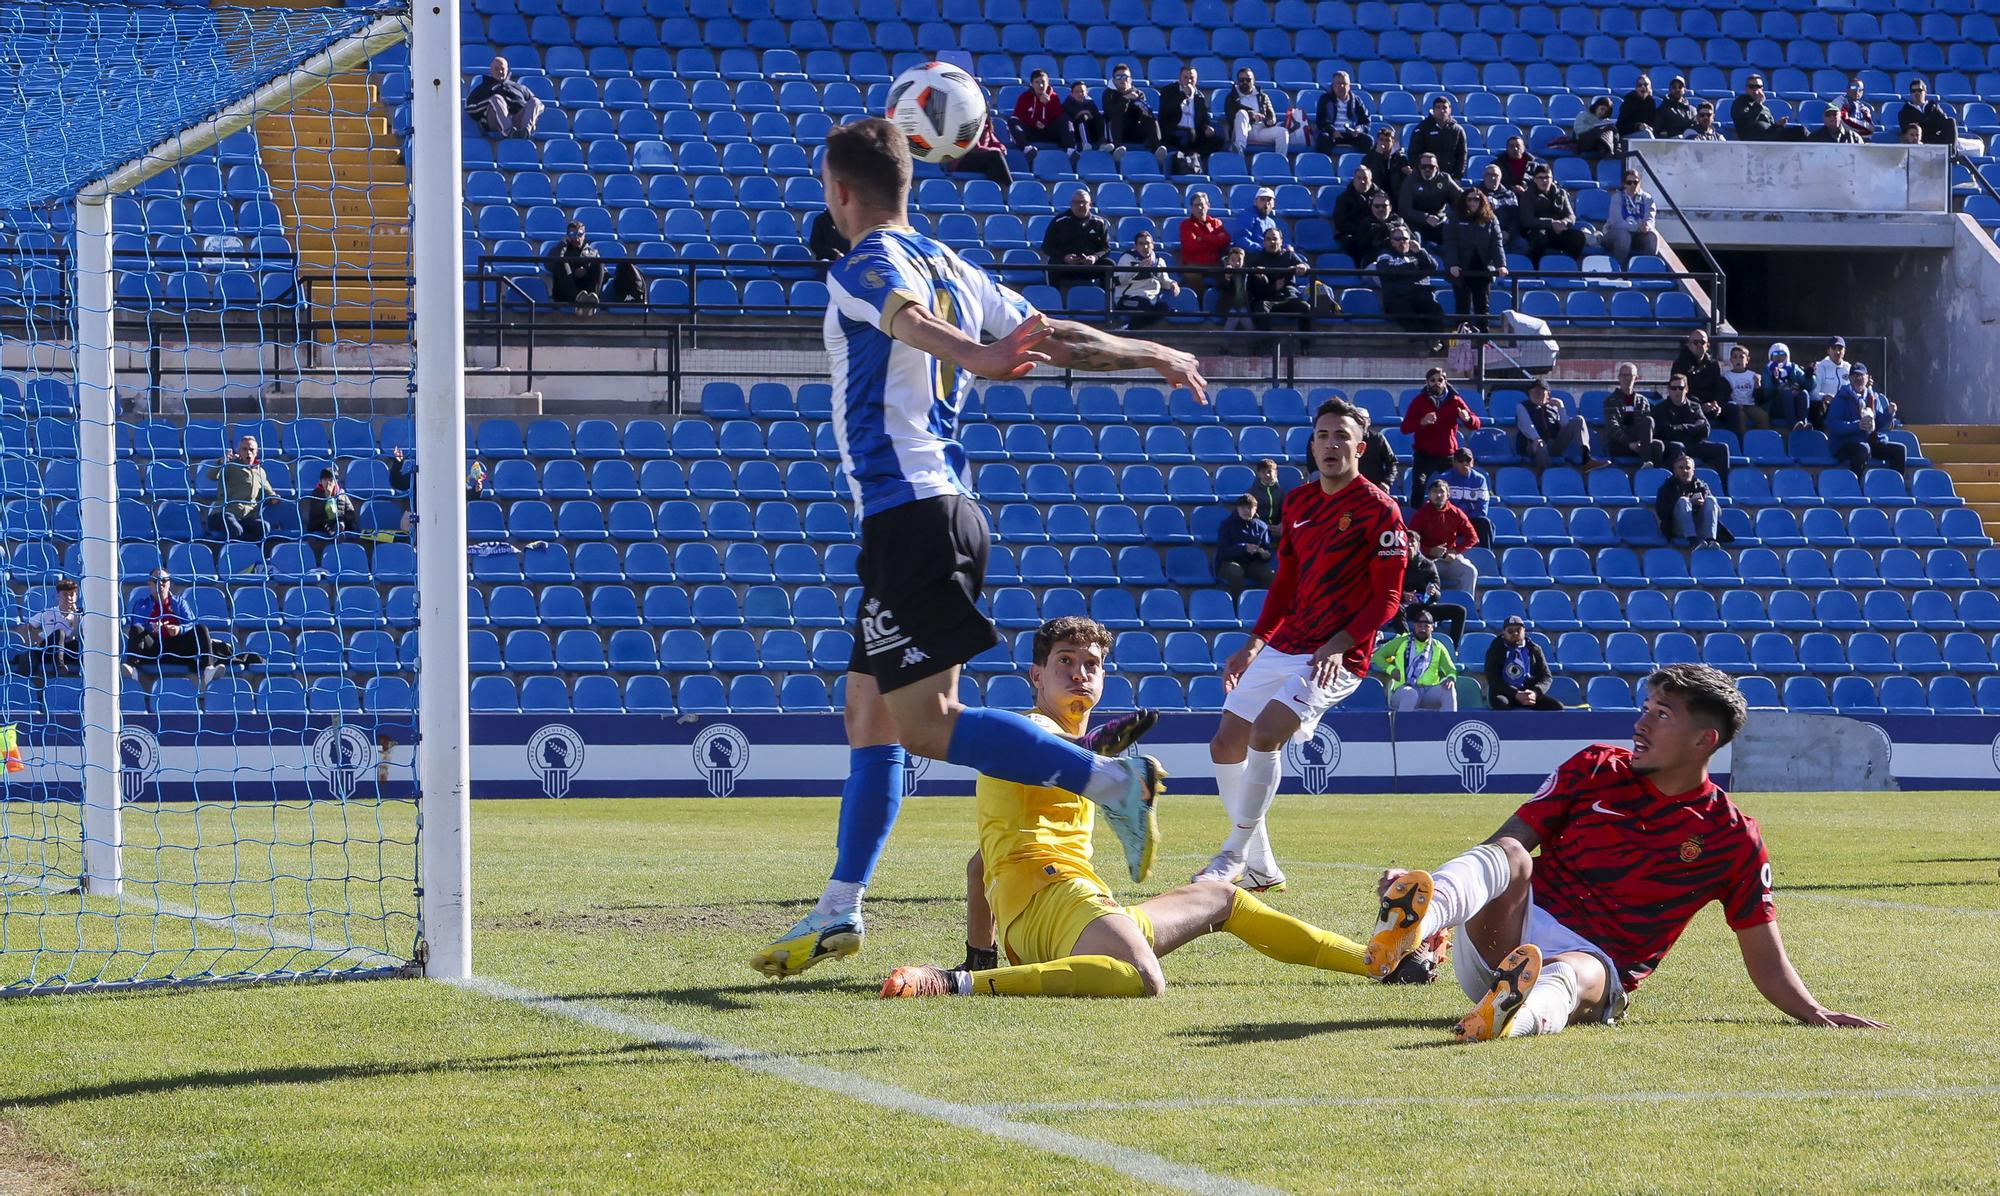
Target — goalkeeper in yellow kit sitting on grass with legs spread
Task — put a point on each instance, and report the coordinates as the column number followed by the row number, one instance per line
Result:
column 1057, row 921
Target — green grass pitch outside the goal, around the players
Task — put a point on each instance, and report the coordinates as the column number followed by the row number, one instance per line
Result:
column 1271, row 1075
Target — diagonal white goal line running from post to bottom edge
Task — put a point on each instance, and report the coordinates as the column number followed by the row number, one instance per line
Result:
column 1127, row 1161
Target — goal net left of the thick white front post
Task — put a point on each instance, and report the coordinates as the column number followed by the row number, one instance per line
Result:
column 209, row 461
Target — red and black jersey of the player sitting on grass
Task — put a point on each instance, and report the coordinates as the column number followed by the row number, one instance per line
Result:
column 1629, row 867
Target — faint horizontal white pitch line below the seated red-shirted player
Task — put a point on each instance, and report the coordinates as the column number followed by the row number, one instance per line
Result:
column 1405, row 1101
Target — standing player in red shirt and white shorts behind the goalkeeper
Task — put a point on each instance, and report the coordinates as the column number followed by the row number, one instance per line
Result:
column 1339, row 581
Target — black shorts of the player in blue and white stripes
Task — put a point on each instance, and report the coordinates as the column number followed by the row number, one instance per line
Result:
column 923, row 569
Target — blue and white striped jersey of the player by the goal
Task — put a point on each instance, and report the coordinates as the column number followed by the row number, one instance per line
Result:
column 897, row 407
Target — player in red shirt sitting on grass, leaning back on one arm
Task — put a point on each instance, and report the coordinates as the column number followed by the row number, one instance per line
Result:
column 1635, row 843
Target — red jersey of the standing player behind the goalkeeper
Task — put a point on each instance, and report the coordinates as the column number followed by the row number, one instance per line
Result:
column 1339, row 569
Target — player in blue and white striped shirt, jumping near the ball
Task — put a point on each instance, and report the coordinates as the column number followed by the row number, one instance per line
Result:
column 907, row 329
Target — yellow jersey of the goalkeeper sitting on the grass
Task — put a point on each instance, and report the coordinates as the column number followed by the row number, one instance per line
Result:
column 1031, row 837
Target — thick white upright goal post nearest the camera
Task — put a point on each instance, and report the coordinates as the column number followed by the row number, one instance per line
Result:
column 443, row 751
